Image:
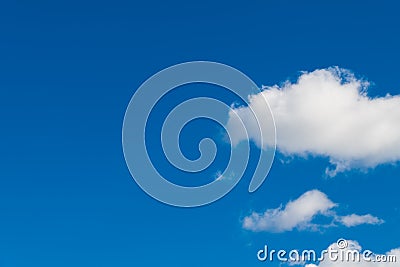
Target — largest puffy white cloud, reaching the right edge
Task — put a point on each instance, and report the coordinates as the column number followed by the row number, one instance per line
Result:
column 327, row 113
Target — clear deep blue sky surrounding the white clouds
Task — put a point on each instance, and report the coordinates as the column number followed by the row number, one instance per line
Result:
column 68, row 70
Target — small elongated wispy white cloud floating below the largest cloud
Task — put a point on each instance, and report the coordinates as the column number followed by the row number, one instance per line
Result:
column 299, row 214
